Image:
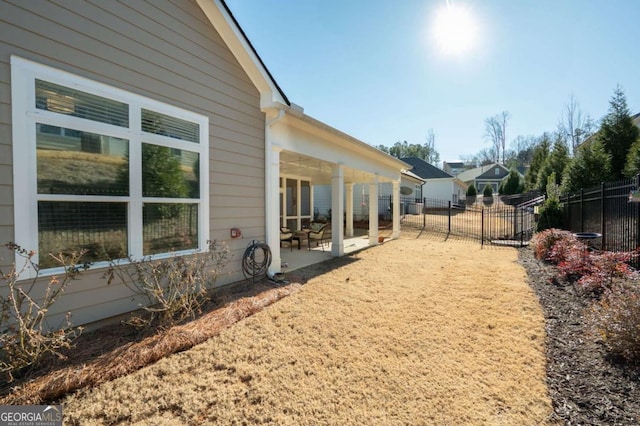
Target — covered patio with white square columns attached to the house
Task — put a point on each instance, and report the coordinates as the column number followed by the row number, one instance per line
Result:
column 302, row 152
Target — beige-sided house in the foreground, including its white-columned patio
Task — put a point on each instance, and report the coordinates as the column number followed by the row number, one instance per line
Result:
column 148, row 128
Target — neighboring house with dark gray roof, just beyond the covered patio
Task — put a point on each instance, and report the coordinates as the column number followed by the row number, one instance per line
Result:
column 439, row 184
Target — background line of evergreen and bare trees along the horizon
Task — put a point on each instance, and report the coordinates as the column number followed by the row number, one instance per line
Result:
column 580, row 153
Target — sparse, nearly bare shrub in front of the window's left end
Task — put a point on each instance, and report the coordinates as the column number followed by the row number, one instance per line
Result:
column 25, row 339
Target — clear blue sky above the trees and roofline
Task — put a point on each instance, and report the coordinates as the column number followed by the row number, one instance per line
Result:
column 371, row 68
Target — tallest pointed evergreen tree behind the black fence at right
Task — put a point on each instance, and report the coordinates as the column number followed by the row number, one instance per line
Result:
column 618, row 133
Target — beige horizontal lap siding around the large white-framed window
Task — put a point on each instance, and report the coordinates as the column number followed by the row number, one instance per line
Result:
column 162, row 49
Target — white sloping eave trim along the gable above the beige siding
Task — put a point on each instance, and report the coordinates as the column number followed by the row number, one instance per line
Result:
column 217, row 14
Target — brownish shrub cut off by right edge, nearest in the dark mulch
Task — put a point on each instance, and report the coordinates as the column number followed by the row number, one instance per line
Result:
column 616, row 319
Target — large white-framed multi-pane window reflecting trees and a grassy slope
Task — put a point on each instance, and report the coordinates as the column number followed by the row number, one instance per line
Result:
column 104, row 170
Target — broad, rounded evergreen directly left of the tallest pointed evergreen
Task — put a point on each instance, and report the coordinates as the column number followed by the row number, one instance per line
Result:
column 590, row 167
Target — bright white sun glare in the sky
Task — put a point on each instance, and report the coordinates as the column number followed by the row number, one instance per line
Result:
column 455, row 29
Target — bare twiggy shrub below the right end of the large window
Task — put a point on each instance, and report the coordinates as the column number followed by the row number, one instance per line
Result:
column 175, row 288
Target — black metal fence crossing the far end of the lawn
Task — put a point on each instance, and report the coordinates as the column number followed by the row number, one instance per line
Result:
column 494, row 221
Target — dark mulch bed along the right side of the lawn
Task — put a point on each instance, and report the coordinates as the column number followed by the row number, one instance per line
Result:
column 587, row 387
